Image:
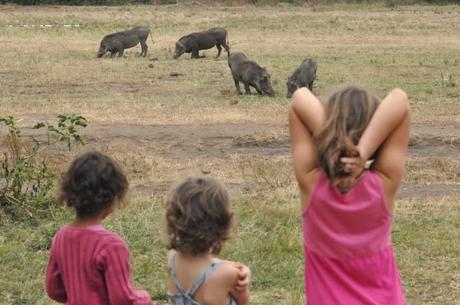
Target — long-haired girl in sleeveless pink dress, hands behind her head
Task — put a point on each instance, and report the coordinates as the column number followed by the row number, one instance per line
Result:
column 346, row 206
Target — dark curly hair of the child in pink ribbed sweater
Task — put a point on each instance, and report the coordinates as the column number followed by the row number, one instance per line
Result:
column 93, row 183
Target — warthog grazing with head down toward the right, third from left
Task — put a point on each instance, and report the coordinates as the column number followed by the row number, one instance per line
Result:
column 250, row 74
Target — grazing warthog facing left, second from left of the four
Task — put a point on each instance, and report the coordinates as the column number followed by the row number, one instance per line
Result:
column 194, row 42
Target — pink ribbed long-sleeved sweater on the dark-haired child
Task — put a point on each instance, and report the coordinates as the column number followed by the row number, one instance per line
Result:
column 90, row 266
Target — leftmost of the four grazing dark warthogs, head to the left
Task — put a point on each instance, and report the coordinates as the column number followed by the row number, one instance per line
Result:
column 118, row 42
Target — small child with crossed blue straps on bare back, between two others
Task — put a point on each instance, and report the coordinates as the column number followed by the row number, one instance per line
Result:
column 198, row 220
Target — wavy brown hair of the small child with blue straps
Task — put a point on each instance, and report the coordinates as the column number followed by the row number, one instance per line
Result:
column 198, row 216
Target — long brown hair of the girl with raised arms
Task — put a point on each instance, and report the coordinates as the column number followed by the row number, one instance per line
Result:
column 348, row 112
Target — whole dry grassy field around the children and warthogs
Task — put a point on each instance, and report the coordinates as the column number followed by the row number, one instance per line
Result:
column 165, row 119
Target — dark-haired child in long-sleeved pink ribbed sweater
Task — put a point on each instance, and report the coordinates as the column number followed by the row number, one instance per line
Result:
column 87, row 263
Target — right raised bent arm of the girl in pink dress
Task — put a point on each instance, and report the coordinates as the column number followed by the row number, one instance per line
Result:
column 388, row 131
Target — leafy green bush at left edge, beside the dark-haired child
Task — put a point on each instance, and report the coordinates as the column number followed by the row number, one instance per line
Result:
column 26, row 179
